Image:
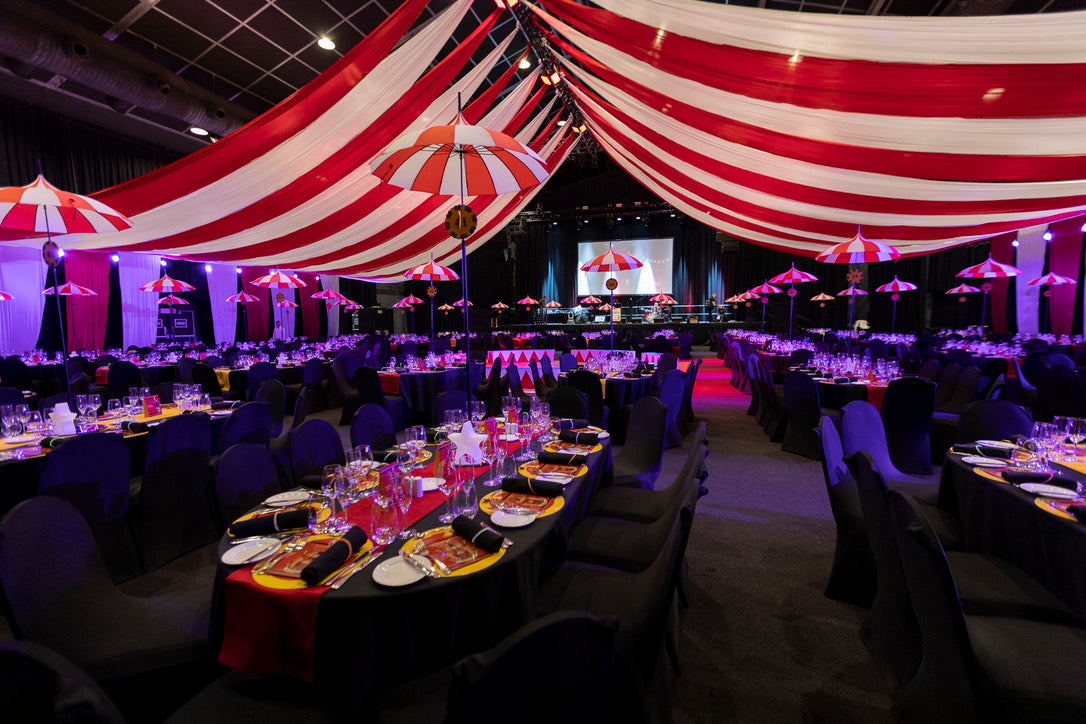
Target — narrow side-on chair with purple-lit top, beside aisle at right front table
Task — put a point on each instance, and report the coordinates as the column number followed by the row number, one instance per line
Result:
column 853, row 573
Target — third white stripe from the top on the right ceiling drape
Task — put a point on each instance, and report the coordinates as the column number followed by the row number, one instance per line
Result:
column 816, row 175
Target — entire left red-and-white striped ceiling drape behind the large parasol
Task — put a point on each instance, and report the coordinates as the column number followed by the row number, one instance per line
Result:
column 293, row 189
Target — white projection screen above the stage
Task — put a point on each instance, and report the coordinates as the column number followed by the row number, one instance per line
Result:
column 653, row 277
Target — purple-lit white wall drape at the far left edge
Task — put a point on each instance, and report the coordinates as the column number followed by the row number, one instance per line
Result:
column 23, row 276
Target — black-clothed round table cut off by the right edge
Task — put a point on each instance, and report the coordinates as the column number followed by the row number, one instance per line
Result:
column 1004, row 520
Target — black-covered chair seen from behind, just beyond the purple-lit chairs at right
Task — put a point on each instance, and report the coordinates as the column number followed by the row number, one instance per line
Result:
column 907, row 418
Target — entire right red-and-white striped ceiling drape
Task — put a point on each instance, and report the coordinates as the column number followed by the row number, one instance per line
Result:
column 791, row 130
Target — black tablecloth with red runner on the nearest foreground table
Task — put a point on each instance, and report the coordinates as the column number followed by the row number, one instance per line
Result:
column 364, row 638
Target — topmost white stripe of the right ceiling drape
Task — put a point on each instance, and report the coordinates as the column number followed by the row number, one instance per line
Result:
column 1043, row 39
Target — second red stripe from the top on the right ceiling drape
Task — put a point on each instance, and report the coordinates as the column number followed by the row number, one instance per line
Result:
column 940, row 167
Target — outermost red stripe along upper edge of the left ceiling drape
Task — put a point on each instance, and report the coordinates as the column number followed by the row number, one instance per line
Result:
column 261, row 135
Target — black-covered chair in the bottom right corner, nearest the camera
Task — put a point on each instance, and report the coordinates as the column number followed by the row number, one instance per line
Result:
column 979, row 668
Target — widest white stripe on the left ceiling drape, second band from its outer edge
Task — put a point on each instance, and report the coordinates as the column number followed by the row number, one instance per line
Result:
column 308, row 149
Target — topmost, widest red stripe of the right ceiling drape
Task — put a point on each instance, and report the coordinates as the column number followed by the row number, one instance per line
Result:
column 852, row 86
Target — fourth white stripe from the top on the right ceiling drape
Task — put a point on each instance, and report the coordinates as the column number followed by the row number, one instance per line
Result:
column 788, row 206
